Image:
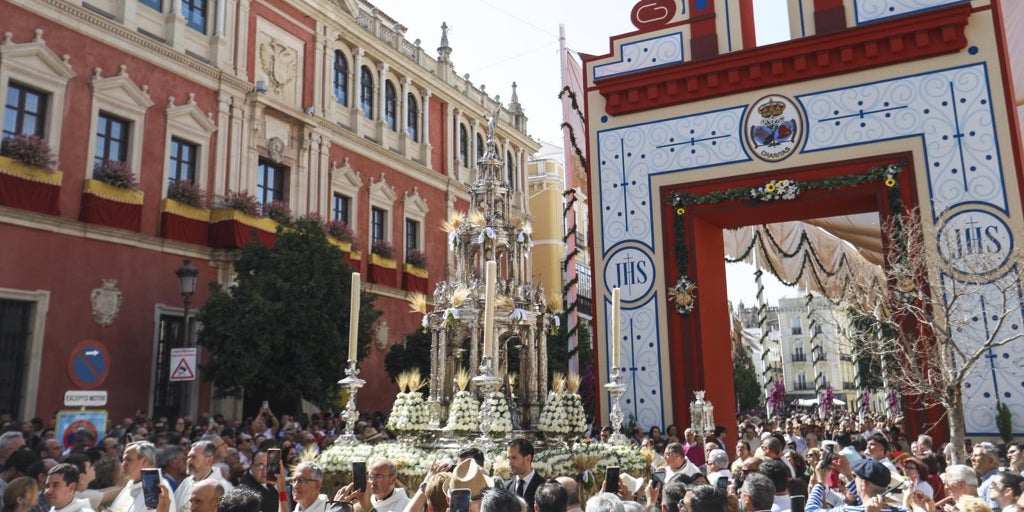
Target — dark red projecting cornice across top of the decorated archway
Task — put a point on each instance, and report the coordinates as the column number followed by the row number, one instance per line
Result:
column 907, row 38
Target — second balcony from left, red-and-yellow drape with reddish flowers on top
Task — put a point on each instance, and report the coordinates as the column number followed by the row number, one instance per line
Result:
column 112, row 198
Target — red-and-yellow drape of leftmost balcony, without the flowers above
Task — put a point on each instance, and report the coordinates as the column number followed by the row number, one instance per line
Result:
column 30, row 188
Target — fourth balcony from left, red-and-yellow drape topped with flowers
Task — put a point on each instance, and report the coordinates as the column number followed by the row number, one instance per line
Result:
column 236, row 221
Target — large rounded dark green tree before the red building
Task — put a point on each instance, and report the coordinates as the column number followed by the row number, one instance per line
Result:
column 280, row 332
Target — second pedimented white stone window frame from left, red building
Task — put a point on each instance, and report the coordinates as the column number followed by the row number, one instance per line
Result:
column 119, row 97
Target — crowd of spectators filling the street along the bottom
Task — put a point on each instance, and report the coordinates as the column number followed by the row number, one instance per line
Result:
column 799, row 464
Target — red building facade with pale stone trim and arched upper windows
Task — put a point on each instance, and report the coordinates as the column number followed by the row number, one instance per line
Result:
column 323, row 106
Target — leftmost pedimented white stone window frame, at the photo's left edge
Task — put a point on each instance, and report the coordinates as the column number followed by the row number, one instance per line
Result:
column 37, row 67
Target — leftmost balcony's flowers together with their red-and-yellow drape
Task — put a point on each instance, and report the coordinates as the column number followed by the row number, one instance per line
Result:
column 29, row 179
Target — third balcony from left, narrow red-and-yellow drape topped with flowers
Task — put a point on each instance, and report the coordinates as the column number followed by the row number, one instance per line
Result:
column 184, row 215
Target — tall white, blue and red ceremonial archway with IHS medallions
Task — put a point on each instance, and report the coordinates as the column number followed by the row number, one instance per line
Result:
column 688, row 104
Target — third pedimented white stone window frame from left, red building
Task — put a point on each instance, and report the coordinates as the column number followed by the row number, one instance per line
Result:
column 189, row 123
